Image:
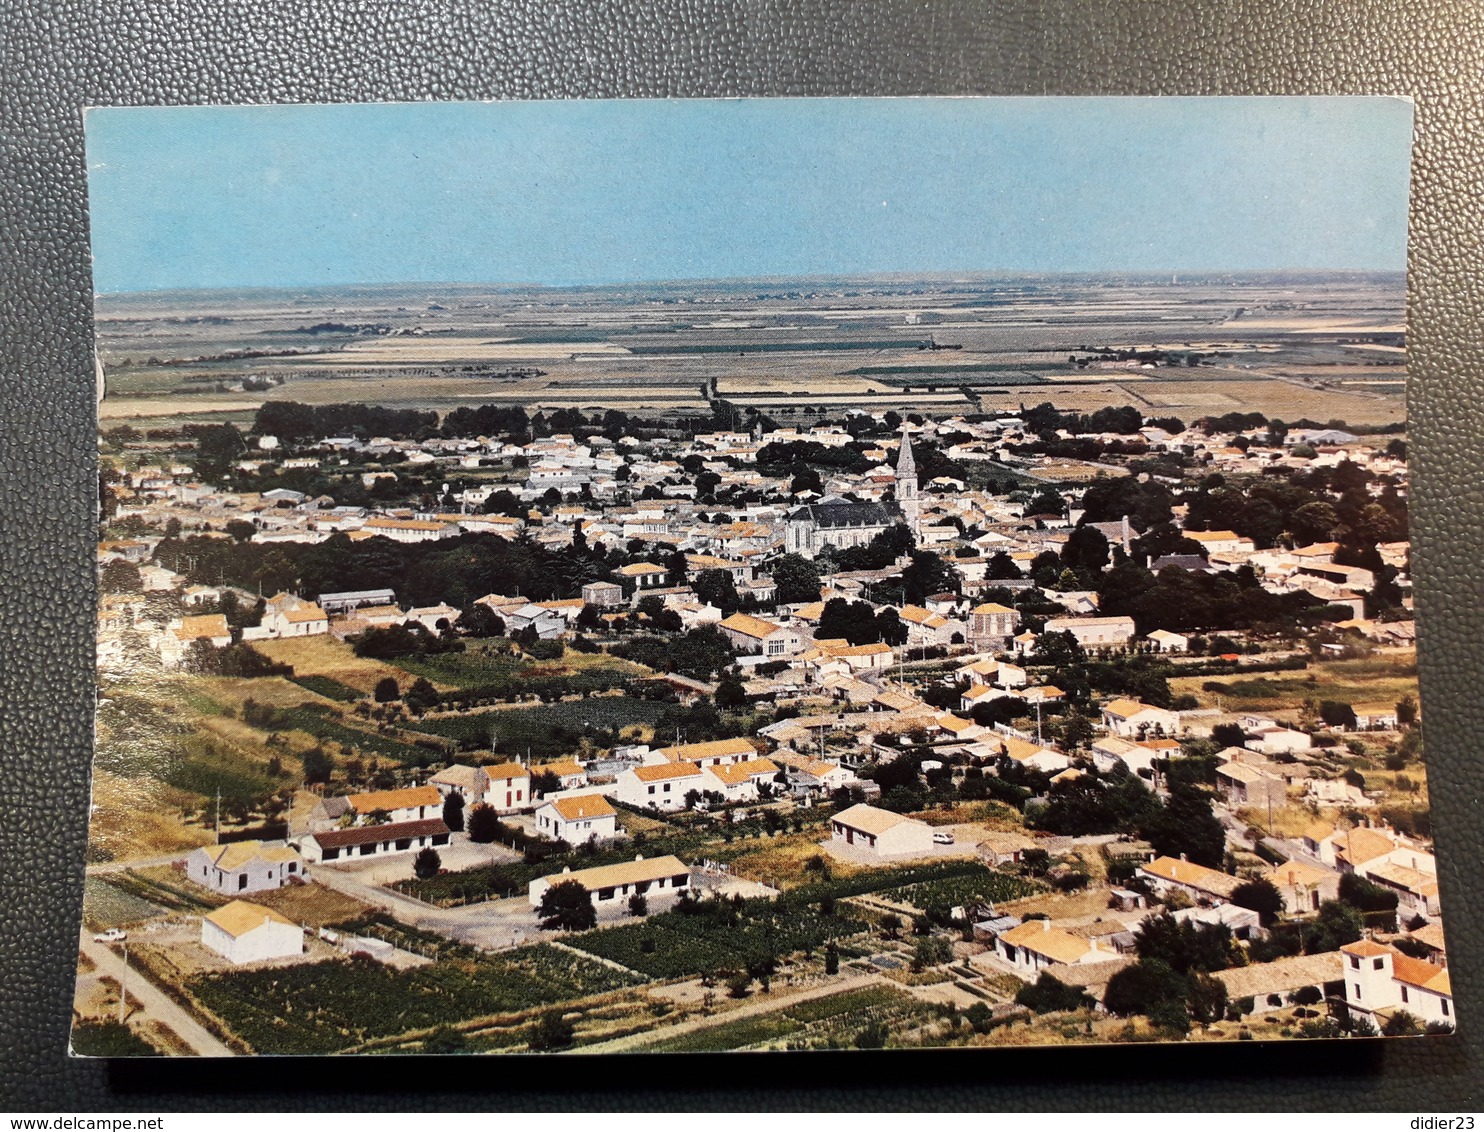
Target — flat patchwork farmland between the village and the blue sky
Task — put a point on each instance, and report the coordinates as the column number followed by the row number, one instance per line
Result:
column 1284, row 345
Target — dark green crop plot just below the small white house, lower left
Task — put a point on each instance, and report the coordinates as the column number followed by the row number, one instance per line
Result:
column 323, row 1008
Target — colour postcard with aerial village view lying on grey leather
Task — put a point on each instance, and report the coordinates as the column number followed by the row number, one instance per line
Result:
column 766, row 575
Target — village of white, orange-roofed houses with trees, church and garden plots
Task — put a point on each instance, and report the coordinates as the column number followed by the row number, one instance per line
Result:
column 504, row 732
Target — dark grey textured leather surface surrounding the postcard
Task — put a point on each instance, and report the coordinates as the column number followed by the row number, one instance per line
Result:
column 60, row 57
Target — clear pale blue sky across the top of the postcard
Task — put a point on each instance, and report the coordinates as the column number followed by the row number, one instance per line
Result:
column 600, row 192
